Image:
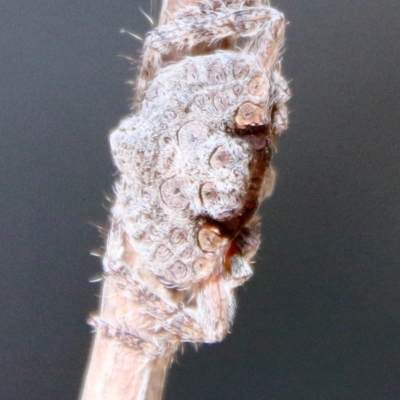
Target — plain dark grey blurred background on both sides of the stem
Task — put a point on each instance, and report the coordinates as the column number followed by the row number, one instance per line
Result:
column 321, row 317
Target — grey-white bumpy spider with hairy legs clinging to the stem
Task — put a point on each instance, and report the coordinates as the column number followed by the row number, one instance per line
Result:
column 194, row 164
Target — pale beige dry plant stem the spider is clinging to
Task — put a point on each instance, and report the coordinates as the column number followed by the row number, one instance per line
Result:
column 115, row 371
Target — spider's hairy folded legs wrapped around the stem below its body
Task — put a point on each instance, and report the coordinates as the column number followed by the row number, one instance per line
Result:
column 208, row 320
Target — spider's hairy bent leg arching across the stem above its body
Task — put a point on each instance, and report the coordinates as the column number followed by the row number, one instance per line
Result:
column 202, row 24
